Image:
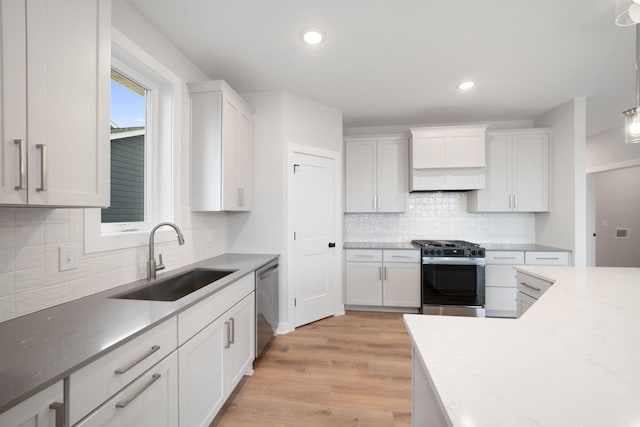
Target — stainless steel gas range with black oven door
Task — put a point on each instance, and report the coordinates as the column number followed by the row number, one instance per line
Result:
column 452, row 277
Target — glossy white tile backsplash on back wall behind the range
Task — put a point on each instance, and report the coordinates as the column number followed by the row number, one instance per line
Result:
column 440, row 216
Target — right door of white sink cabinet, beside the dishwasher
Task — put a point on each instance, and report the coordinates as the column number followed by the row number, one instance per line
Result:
column 239, row 356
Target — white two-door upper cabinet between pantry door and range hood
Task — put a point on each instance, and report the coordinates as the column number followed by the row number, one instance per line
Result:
column 377, row 174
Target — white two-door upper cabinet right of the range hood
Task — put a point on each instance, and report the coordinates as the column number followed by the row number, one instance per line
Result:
column 517, row 173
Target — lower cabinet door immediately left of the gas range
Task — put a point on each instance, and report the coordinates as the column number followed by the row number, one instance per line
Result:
column 401, row 285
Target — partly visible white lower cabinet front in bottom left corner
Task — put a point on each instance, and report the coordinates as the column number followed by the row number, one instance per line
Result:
column 45, row 409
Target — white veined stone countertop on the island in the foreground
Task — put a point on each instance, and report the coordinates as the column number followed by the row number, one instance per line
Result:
column 573, row 359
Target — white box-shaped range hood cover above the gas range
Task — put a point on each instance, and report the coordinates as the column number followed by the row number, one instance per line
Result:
column 447, row 158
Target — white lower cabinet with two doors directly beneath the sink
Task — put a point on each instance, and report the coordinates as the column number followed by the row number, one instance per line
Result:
column 217, row 349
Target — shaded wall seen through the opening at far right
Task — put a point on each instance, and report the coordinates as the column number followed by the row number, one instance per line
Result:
column 617, row 206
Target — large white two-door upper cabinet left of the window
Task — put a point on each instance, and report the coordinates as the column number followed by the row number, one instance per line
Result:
column 55, row 66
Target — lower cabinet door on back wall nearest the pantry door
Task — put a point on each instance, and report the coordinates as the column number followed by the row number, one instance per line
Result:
column 364, row 283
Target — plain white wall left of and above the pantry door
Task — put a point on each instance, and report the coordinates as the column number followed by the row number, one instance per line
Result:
column 280, row 119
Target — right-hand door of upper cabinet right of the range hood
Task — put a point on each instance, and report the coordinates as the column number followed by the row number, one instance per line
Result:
column 531, row 172
